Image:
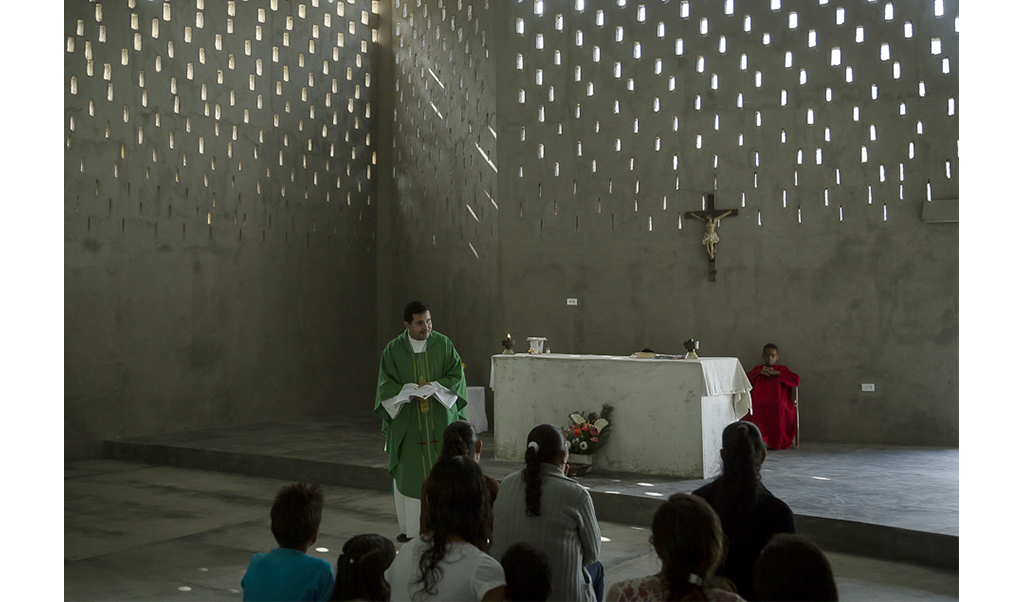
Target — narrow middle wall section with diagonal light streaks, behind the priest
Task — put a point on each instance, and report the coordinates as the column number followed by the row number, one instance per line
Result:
column 440, row 238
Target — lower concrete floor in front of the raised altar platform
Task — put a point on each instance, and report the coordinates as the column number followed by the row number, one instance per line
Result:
column 142, row 532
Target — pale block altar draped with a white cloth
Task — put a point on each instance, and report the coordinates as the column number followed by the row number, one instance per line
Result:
column 669, row 414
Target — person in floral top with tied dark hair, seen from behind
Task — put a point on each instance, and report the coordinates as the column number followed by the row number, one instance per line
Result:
column 689, row 540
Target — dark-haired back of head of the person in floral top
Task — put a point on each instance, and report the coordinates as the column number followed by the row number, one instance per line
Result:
column 688, row 537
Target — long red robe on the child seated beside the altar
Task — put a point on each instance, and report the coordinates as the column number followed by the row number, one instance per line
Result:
column 774, row 406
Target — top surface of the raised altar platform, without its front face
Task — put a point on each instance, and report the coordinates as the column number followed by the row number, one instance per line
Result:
column 907, row 488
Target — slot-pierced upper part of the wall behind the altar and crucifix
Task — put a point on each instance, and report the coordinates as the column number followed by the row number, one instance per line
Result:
column 628, row 113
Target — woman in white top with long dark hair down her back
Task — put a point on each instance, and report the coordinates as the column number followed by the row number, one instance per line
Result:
column 450, row 562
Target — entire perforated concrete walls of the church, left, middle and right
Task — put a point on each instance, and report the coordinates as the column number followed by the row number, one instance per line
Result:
column 233, row 251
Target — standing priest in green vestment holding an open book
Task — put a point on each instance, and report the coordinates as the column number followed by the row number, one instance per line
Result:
column 421, row 391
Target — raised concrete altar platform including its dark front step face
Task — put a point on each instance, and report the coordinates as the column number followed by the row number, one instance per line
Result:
column 889, row 503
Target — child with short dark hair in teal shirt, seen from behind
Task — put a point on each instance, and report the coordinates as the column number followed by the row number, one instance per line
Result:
column 286, row 573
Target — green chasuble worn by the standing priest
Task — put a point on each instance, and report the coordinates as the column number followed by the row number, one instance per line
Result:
column 413, row 439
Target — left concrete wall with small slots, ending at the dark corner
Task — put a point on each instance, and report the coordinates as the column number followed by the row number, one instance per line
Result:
column 220, row 255
